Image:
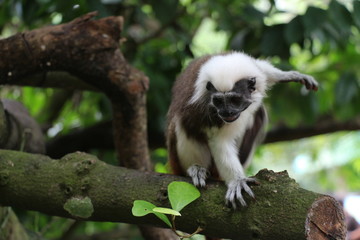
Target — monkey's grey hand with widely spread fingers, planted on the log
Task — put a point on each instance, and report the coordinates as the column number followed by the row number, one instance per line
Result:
column 234, row 191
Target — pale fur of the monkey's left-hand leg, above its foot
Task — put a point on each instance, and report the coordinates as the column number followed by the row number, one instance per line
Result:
column 191, row 152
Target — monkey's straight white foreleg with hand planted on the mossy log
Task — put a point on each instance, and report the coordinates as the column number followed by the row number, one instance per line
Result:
column 231, row 171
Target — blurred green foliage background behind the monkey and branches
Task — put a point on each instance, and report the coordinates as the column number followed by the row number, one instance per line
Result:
column 316, row 37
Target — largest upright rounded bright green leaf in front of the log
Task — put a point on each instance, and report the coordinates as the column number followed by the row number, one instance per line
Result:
column 181, row 194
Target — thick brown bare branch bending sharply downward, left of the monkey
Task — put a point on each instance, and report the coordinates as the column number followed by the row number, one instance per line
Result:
column 84, row 49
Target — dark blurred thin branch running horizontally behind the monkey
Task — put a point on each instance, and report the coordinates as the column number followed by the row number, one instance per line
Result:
column 77, row 140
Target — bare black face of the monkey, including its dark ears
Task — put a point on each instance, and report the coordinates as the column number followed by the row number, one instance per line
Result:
column 230, row 104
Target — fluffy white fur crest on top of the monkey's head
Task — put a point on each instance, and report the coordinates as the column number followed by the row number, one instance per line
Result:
column 223, row 71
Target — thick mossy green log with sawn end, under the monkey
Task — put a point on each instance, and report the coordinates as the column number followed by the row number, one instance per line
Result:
column 282, row 210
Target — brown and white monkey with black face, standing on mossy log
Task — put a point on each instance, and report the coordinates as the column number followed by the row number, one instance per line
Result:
column 216, row 118
